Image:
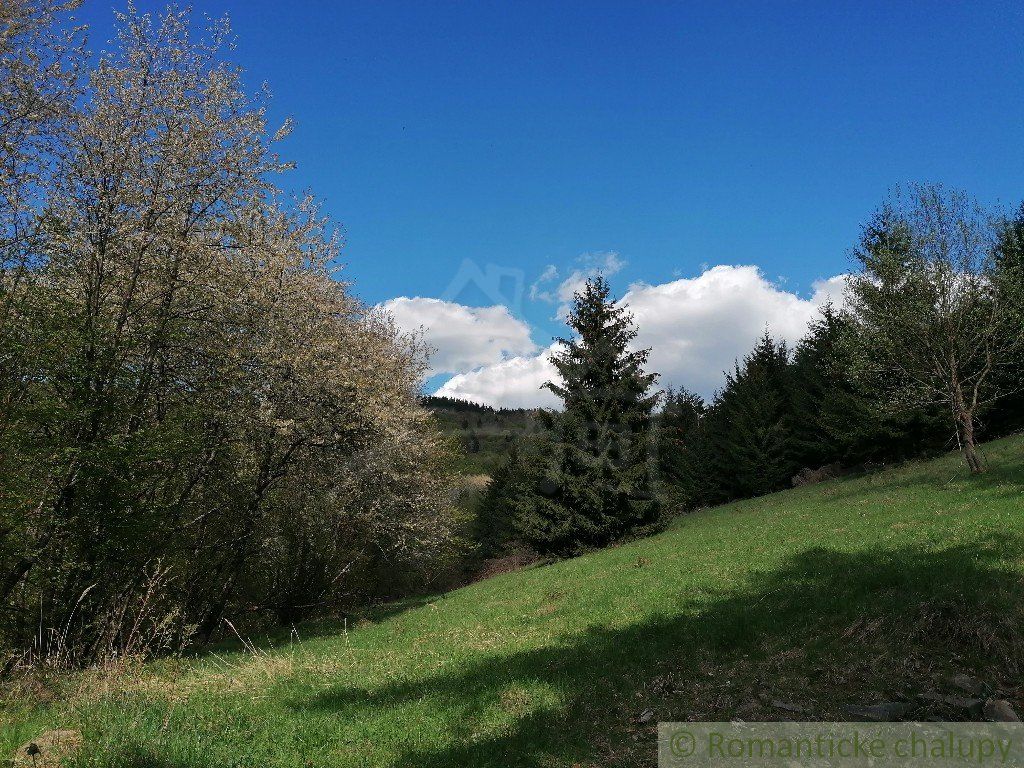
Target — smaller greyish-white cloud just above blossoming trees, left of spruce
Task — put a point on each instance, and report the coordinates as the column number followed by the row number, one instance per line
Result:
column 464, row 338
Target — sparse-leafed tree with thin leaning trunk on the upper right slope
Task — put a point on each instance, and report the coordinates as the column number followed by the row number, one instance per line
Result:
column 940, row 321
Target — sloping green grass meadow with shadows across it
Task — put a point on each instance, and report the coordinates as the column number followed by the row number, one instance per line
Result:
column 844, row 593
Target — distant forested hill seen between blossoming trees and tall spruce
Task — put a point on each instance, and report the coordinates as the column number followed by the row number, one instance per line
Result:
column 484, row 433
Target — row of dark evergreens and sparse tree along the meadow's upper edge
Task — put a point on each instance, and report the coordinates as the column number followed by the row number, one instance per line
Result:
column 925, row 354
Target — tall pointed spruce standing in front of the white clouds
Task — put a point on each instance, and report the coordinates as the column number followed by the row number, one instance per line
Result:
column 599, row 485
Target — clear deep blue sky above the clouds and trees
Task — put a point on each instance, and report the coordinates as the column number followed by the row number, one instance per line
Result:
column 676, row 136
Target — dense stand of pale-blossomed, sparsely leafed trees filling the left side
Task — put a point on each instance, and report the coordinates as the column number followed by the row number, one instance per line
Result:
column 198, row 420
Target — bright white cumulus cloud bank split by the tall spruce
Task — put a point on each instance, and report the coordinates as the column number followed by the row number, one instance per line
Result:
column 696, row 327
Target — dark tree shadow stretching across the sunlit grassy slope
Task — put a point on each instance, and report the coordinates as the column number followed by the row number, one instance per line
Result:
column 947, row 607
